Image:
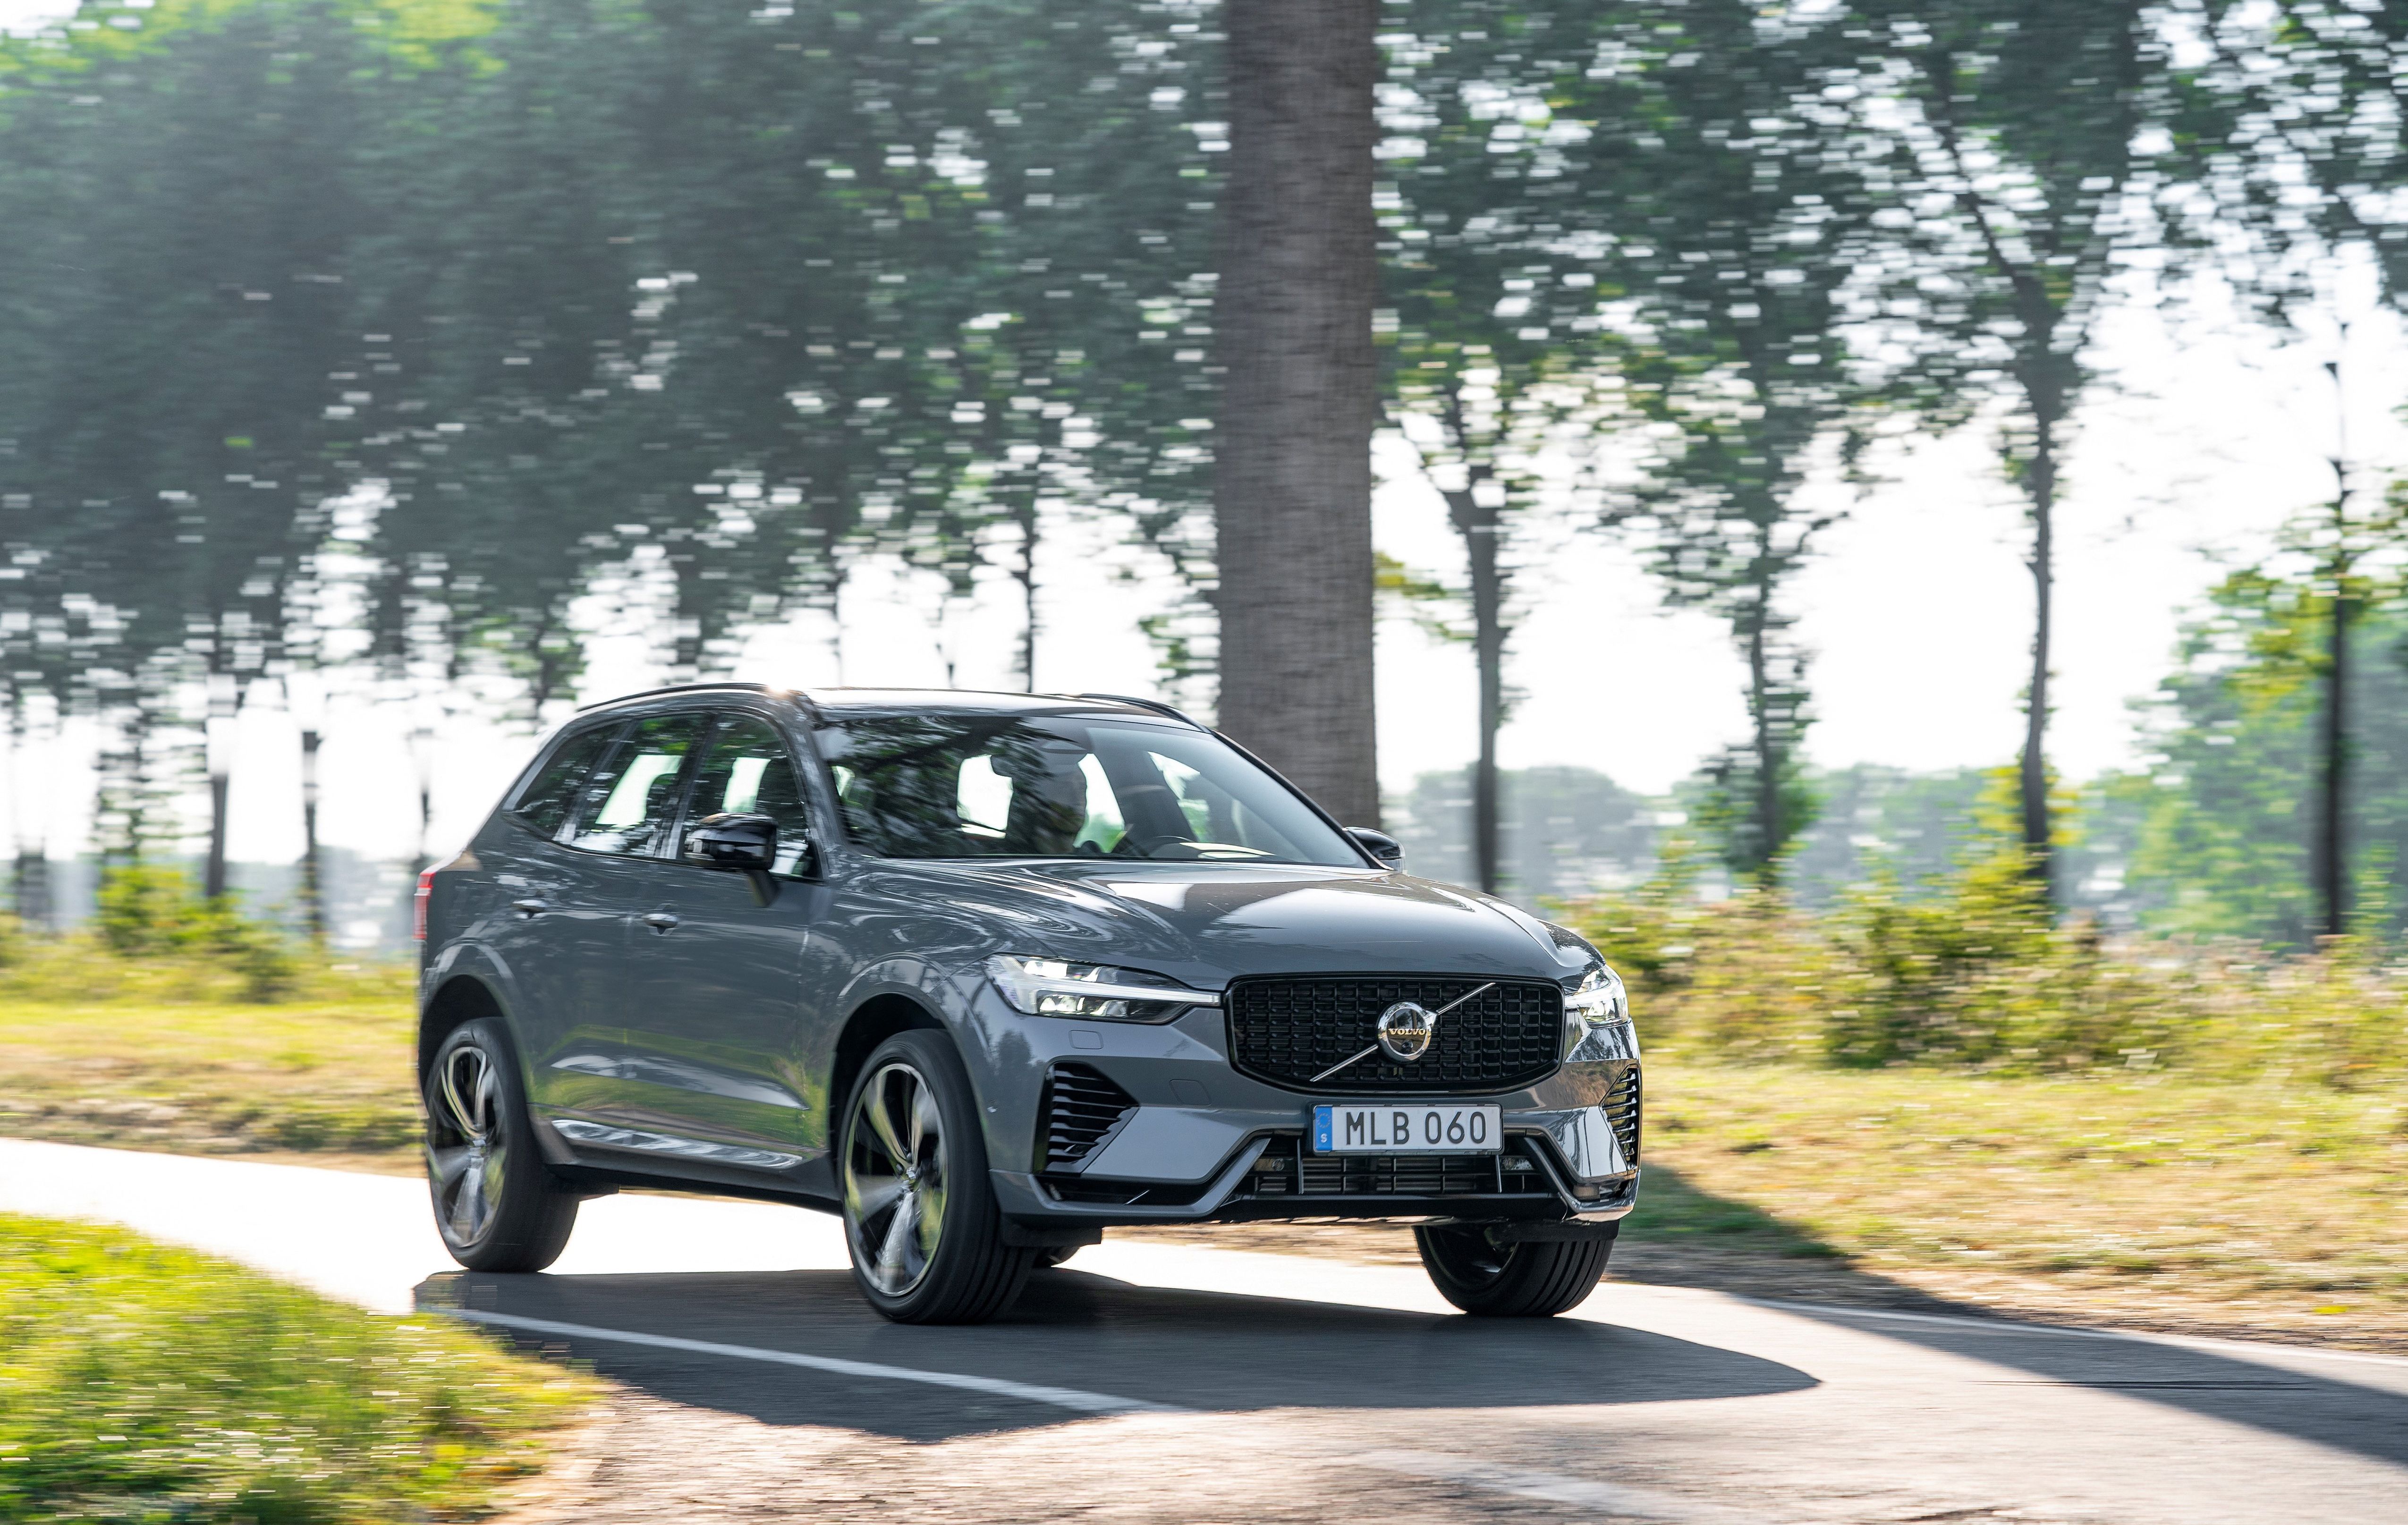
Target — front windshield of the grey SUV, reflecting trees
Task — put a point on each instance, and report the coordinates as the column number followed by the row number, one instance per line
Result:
column 1010, row 787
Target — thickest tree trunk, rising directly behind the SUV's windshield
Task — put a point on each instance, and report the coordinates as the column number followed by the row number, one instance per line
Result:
column 1299, row 396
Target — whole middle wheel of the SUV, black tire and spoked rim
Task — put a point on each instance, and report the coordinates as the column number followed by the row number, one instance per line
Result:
column 921, row 1218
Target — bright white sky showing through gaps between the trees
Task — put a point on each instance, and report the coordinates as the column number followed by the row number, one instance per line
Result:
column 2205, row 440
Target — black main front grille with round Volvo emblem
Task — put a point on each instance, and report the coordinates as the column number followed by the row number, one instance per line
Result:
column 1289, row 1030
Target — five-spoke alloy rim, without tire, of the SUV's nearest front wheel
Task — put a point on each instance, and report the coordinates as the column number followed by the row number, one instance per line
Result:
column 895, row 1179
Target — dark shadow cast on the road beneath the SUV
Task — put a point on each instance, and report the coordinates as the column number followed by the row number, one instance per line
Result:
column 1191, row 1350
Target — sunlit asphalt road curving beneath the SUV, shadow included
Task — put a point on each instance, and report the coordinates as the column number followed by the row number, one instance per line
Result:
column 1152, row 1382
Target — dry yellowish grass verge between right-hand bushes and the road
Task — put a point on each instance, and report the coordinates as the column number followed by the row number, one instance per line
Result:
column 2277, row 1206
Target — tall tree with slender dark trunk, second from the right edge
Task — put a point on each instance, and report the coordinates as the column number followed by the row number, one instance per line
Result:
column 2019, row 151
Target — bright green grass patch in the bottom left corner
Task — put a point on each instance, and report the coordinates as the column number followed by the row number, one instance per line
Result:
column 153, row 1384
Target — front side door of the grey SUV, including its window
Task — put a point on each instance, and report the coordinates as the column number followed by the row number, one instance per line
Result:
column 719, row 1023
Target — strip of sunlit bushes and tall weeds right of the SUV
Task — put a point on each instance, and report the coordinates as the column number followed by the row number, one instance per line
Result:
column 1978, row 975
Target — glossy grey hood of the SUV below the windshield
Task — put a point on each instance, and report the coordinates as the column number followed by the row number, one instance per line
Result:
column 1215, row 922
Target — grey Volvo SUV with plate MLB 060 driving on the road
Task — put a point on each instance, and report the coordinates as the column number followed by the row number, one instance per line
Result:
column 988, row 975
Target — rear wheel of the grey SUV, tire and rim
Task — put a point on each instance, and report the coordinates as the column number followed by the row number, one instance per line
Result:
column 497, row 1206
